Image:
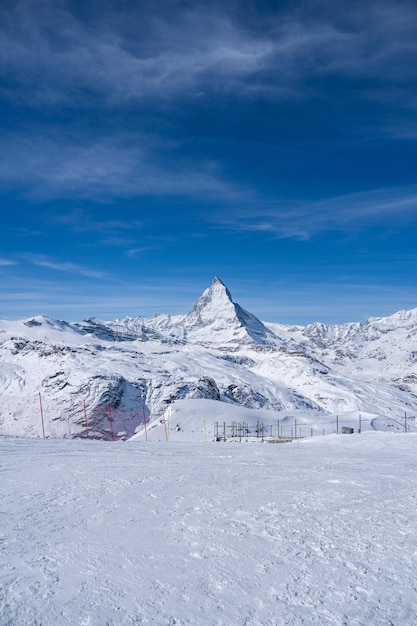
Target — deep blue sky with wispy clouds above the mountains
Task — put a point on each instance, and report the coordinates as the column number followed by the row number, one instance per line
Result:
column 150, row 146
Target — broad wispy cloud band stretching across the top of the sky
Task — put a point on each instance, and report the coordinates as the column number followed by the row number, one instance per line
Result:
column 50, row 55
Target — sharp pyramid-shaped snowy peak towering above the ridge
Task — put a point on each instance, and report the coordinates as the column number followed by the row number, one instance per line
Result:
column 215, row 312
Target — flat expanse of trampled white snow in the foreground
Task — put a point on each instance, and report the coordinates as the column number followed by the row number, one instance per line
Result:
column 321, row 531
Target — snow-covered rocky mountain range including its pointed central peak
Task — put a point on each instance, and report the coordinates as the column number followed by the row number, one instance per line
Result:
column 107, row 378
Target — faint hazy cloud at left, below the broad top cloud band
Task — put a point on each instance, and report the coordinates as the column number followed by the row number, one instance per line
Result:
column 103, row 167
